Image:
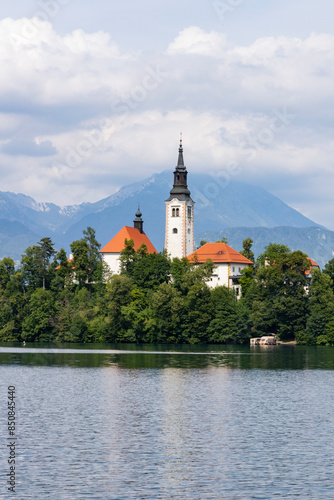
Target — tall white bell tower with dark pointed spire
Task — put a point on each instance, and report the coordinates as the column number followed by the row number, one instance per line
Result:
column 179, row 234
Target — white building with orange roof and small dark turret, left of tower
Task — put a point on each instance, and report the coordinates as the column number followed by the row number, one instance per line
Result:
column 111, row 252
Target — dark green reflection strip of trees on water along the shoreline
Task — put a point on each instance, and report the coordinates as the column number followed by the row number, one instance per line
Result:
column 287, row 357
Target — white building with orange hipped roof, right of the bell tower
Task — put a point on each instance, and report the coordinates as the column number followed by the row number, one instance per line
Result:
column 228, row 264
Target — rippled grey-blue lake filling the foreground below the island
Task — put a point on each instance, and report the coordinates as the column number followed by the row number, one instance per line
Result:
column 169, row 422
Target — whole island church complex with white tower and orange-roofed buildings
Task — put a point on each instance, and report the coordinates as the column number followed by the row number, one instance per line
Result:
column 179, row 236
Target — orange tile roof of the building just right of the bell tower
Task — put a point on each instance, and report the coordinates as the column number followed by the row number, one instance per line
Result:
column 218, row 253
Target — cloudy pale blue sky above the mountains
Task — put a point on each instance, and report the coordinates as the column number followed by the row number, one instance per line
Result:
column 94, row 96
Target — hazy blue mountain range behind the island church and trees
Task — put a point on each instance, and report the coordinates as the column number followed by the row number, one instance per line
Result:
column 229, row 208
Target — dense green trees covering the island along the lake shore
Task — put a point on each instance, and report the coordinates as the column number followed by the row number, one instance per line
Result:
column 156, row 300
